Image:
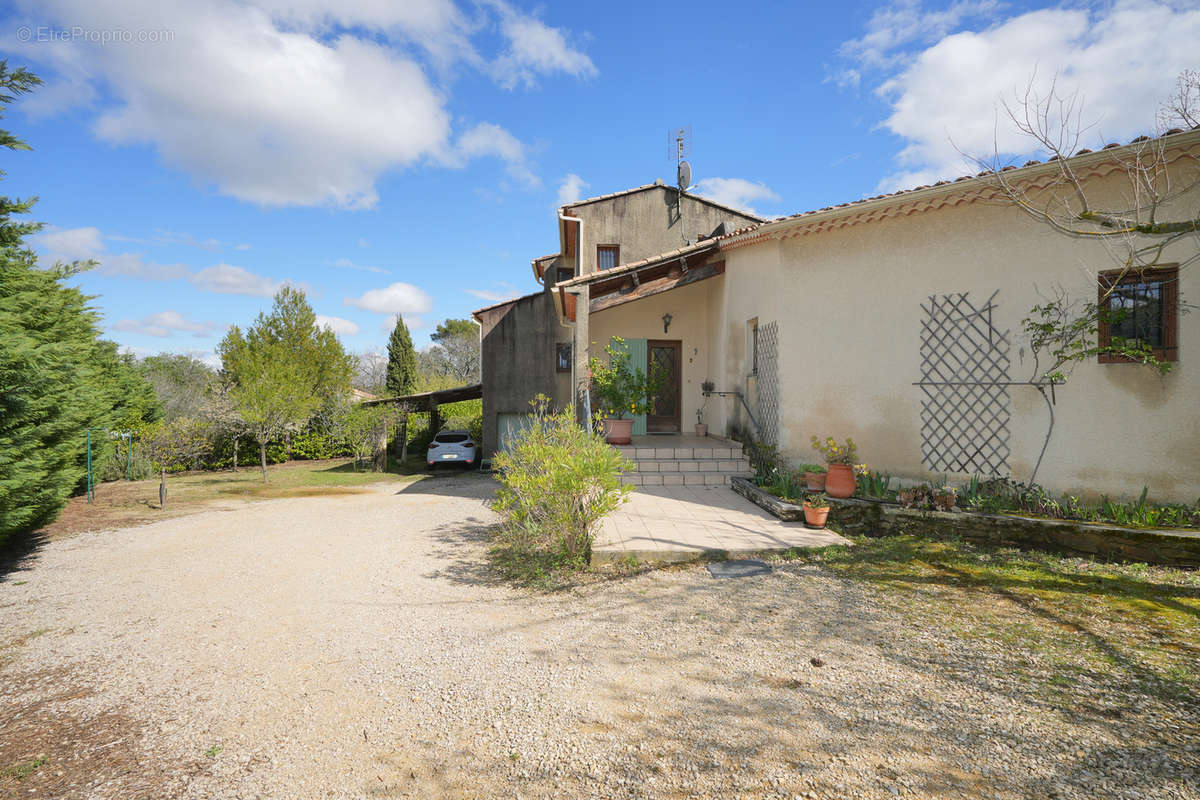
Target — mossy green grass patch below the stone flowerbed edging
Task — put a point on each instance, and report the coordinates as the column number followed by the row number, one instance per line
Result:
column 1072, row 622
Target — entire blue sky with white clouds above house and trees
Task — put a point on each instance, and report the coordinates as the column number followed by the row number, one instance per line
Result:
column 407, row 158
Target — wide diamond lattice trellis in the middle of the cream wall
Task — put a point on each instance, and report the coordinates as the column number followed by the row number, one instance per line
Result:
column 964, row 376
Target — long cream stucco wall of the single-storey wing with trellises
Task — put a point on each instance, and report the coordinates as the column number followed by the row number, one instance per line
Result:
column 849, row 309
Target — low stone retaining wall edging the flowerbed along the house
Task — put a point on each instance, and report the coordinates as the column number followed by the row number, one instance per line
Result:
column 855, row 518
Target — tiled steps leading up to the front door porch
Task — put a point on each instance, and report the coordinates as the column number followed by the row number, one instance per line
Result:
column 667, row 461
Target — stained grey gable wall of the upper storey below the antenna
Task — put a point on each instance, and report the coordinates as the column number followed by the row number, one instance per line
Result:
column 646, row 224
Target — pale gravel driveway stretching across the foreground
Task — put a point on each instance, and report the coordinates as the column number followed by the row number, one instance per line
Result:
column 356, row 647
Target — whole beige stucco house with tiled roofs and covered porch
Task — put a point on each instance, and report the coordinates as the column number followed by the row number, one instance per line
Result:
column 896, row 321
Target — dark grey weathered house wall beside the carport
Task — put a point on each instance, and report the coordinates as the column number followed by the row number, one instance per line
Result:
column 519, row 348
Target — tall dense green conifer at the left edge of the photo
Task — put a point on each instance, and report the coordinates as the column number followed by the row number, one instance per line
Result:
column 57, row 378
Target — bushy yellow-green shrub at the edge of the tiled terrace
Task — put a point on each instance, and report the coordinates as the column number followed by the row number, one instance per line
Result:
column 557, row 482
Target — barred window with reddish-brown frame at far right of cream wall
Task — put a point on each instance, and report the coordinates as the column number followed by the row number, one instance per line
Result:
column 1142, row 305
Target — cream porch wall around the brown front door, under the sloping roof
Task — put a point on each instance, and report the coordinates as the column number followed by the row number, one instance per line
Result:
column 691, row 324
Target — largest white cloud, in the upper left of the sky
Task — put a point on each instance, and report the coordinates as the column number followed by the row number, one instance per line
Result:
column 303, row 103
